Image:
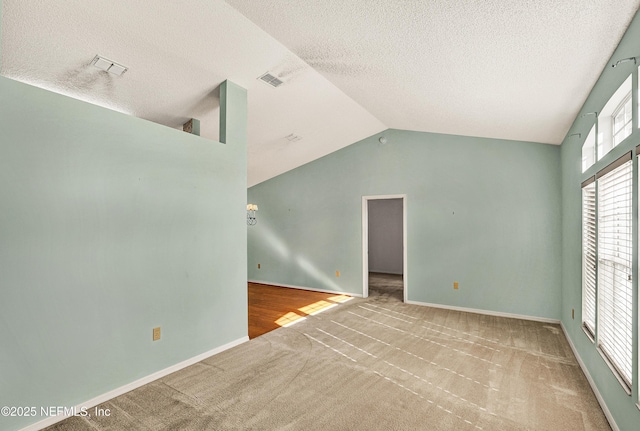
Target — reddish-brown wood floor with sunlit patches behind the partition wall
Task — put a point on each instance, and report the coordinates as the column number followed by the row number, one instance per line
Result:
column 271, row 307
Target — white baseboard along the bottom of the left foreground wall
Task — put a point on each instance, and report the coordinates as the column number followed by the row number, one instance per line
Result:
column 136, row 384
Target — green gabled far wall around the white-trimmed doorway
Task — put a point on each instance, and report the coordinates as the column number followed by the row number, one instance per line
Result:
column 483, row 212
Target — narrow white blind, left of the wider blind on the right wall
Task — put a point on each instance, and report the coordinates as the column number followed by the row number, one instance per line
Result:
column 589, row 257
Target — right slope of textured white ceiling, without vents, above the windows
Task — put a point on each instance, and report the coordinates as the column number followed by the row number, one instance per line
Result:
column 512, row 69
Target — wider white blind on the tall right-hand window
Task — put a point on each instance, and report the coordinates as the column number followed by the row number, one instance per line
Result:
column 615, row 323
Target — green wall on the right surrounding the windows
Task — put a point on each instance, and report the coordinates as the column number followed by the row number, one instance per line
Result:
column 622, row 406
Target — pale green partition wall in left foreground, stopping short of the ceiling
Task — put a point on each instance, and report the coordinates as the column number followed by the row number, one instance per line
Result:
column 111, row 225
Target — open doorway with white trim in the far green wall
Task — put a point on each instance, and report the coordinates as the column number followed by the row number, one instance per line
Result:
column 384, row 239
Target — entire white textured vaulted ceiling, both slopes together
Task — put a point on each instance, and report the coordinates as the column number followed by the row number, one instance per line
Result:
column 517, row 69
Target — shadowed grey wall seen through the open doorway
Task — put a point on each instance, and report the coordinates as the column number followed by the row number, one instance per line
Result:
column 385, row 235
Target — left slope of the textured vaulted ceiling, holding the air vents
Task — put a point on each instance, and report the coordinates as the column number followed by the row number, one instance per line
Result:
column 178, row 52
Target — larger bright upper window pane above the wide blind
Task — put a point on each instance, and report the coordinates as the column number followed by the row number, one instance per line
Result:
column 614, row 122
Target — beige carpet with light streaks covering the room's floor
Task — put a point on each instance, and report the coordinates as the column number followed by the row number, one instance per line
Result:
column 373, row 364
